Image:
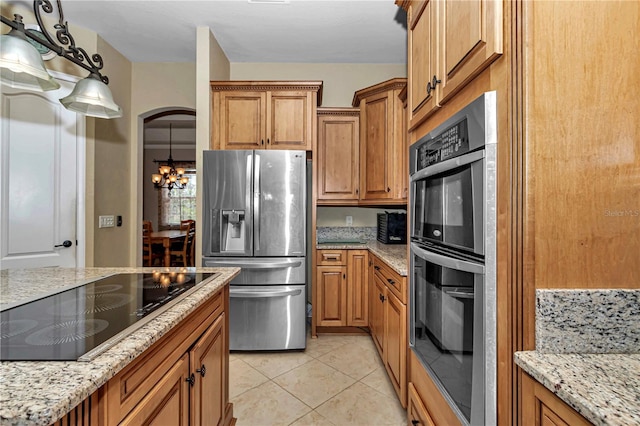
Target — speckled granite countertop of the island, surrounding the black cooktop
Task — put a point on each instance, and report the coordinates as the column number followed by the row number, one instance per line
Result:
column 41, row 392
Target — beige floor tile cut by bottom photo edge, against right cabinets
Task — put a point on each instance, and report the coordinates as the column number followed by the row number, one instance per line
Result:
column 362, row 405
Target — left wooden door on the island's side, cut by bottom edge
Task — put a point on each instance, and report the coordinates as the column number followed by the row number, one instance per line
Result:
column 168, row 401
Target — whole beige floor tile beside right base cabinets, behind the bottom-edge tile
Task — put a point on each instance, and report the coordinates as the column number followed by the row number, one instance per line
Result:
column 354, row 360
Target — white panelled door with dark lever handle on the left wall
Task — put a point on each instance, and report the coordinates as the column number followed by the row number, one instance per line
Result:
column 39, row 180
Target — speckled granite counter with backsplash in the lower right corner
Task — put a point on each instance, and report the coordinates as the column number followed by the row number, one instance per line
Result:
column 588, row 352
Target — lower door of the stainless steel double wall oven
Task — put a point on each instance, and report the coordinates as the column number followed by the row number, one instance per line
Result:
column 447, row 328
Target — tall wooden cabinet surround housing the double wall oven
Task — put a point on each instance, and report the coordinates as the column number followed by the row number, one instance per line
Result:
column 565, row 77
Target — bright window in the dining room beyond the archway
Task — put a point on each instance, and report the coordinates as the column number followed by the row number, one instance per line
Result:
column 178, row 204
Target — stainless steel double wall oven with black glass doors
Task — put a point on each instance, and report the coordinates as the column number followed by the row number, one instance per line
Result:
column 453, row 261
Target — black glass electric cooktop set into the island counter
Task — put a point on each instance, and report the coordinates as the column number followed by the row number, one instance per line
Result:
column 88, row 319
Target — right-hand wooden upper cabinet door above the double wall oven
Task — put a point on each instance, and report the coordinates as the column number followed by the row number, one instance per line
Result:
column 471, row 40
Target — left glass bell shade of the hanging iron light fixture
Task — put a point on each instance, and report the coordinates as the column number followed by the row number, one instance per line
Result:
column 21, row 65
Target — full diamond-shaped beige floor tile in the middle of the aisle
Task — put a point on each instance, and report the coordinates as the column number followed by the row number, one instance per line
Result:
column 314, row 382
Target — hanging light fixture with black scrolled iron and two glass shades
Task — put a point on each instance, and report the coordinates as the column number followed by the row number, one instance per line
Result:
column 21, row 65
